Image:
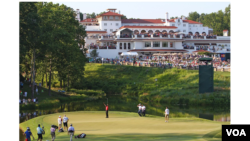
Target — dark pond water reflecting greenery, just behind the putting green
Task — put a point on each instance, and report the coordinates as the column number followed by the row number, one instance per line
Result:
column 116, row 103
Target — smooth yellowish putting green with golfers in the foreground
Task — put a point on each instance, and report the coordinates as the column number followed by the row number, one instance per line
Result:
column 128, row 126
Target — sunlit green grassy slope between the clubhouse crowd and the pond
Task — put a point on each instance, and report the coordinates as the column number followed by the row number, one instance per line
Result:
column 173, row 86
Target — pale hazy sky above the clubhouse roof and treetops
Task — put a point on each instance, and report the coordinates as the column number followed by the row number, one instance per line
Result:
column 148, row 9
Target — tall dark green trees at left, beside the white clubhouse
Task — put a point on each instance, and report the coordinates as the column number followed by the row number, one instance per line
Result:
column 49, row 43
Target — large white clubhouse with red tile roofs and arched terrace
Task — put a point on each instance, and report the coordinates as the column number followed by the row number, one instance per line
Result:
column 111, row 35
